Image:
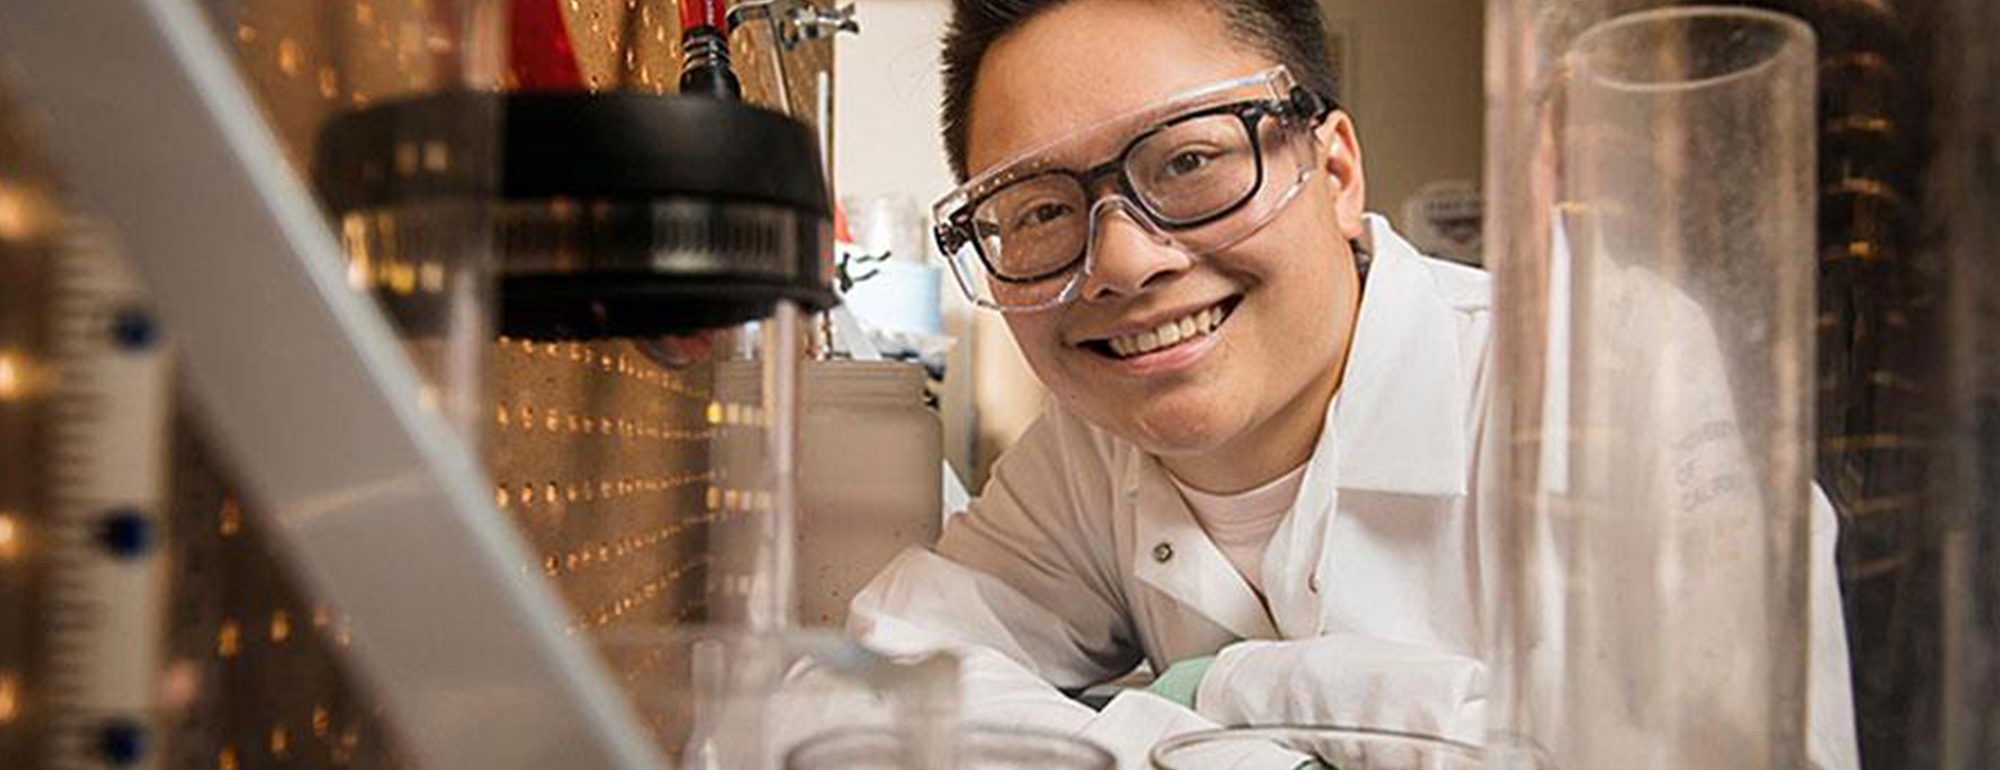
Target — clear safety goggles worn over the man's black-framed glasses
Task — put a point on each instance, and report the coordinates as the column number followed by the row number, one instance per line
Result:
column 1201, row 173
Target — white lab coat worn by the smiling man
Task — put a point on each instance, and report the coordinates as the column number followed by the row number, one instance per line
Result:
column 1081, row 559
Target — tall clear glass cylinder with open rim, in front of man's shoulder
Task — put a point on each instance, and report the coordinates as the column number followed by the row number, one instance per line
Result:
column 1653, row 401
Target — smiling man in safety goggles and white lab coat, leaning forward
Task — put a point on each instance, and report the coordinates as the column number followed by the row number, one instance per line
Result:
column 1261, row 469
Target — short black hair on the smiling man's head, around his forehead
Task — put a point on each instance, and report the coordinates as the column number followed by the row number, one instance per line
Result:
column 1287, row 31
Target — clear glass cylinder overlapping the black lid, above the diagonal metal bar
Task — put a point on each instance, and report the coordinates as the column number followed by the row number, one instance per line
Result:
column 361, row 99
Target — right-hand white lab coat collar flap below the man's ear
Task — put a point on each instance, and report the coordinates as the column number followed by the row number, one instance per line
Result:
column 1403, row 399
